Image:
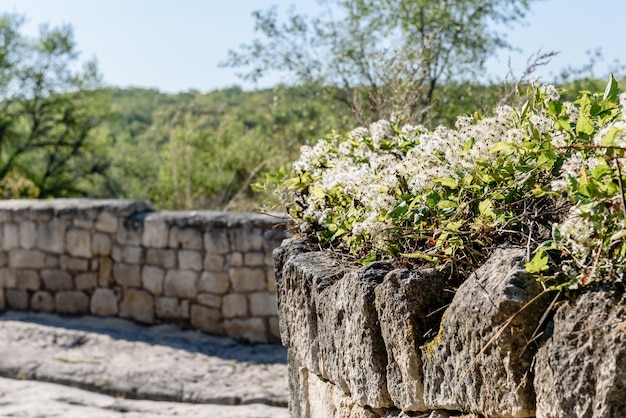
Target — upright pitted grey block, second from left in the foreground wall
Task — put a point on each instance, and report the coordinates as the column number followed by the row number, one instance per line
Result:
column 352, row 347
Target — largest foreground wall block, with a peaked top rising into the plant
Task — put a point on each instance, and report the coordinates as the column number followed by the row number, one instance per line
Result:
column 494, row 382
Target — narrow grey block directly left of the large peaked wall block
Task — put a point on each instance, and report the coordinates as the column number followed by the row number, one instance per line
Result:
column 409, row 306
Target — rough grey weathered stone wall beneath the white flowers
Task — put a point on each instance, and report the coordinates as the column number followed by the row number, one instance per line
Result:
column 379, row 341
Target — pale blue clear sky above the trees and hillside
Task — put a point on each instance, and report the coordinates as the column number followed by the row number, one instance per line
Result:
column 176, row 45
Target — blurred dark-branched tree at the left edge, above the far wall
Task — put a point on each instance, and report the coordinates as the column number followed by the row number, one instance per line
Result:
column 48, row 113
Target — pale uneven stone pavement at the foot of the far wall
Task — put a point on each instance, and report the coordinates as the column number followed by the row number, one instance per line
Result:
column 170, row 372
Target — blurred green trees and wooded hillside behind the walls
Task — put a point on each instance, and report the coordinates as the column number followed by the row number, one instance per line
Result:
column 64, row 134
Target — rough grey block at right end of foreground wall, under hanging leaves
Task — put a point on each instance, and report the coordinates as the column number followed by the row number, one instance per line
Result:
column 580, row 371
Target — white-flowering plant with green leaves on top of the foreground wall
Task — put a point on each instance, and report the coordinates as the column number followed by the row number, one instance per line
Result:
column 547, row 175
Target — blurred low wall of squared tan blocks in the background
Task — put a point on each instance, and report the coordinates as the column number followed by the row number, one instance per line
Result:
column 208, row 270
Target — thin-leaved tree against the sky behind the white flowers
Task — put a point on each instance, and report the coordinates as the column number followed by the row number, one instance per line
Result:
column 381, row 58
